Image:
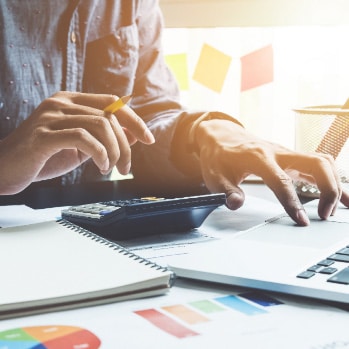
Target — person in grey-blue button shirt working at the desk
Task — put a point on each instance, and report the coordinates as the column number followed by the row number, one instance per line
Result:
column 63, row 62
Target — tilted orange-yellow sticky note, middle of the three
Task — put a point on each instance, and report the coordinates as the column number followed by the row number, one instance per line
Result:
column 212, row 68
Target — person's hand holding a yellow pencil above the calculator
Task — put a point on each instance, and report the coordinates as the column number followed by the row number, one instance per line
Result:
column 63, row 132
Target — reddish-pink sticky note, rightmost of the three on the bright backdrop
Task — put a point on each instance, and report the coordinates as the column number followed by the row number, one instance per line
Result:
column 257, row 68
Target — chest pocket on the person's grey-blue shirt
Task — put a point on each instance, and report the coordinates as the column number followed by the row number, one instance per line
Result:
column 111, row 62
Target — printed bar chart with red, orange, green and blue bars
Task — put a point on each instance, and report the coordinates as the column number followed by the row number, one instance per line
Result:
column 179, row 320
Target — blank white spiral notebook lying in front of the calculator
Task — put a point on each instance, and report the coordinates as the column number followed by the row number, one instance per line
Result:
column 57, row 265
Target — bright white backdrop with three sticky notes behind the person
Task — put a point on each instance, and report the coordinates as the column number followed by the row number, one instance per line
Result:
column 259, row 59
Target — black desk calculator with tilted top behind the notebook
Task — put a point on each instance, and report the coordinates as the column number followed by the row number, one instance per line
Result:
column 123, row 219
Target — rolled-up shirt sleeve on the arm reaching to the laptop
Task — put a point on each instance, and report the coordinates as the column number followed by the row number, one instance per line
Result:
column 165, row 165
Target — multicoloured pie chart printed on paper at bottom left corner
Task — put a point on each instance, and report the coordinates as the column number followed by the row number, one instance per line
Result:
column 49, row 337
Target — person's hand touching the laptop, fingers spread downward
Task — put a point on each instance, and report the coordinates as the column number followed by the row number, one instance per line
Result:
column 228, row 154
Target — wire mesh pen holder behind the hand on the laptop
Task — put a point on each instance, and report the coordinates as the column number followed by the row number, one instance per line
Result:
column 323, row 129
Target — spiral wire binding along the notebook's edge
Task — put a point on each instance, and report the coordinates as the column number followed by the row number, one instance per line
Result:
column 114, row 246
